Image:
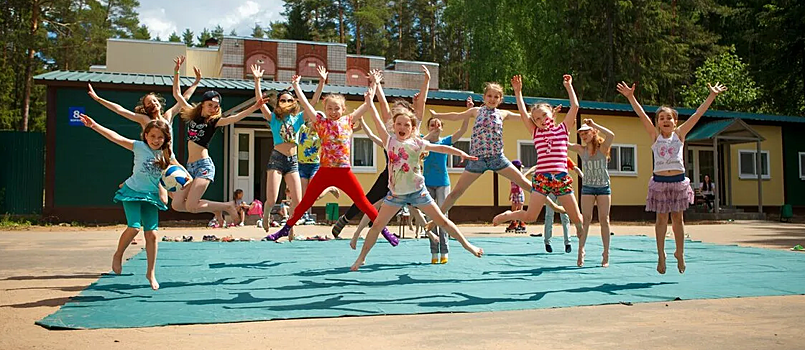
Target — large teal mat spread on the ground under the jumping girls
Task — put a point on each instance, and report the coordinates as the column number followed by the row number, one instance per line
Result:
column 255, row 281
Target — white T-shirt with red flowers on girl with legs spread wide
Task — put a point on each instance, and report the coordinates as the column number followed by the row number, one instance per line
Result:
column 405, row 169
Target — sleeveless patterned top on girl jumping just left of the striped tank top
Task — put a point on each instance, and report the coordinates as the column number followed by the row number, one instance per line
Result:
column 487, row 133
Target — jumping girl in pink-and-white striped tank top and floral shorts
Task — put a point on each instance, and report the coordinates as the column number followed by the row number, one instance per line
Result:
column 551, row 142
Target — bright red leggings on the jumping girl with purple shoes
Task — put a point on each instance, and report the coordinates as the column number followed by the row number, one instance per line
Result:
column 343, row 179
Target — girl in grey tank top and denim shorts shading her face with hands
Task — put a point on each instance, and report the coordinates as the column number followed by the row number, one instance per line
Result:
column 595, row 190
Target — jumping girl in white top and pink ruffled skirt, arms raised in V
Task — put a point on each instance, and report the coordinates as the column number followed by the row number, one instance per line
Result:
column 669, row 190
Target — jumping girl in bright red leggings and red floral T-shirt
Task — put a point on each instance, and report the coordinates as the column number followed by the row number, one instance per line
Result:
column 335, row 130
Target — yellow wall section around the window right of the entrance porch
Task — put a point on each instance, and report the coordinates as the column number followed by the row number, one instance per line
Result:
column 744, row 192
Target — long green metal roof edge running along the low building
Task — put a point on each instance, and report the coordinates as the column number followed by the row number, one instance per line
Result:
column 435, row 95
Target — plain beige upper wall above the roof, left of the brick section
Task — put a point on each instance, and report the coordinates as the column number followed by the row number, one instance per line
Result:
column 145, row 57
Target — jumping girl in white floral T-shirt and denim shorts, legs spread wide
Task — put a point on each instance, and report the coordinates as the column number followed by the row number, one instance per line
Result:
column 406, row 183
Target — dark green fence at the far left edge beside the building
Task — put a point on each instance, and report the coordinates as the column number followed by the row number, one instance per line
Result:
column 22, row 172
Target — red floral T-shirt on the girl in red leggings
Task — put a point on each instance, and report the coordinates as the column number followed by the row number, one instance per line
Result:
column 336, row 140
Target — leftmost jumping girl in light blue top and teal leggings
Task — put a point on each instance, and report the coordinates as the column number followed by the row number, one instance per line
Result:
column 140, row 193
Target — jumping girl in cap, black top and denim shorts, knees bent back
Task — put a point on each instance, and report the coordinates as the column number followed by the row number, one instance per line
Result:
column 202, row 121
